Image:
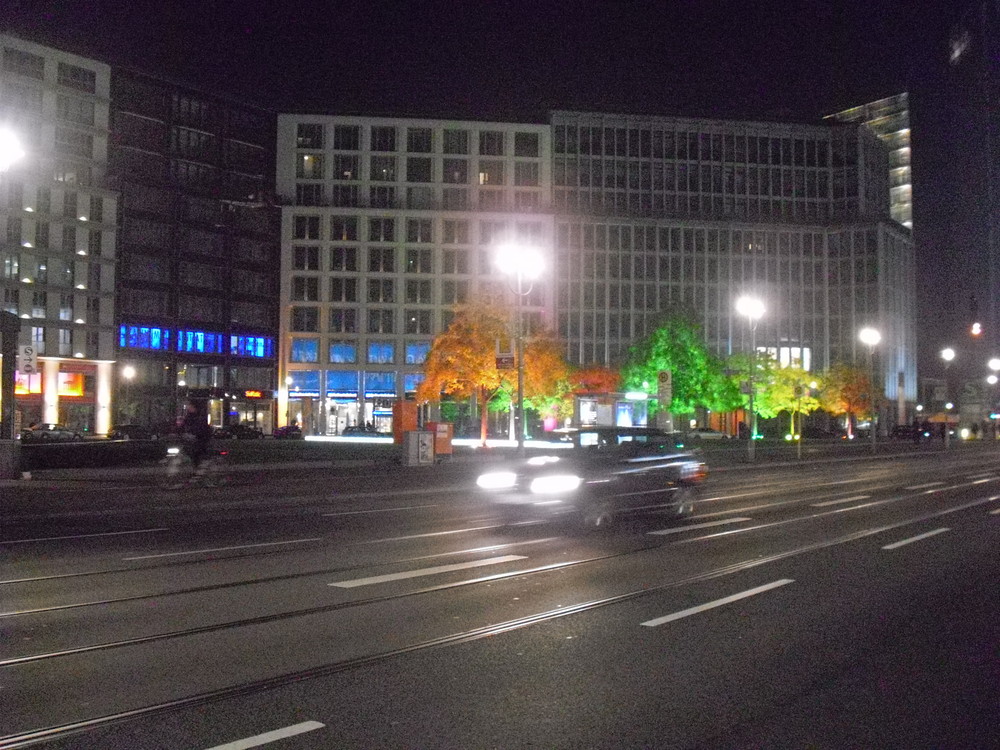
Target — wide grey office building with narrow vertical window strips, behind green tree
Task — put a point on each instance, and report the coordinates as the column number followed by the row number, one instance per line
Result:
column 660, row 212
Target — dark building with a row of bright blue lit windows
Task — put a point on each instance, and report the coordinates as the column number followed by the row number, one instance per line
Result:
column 199, row 251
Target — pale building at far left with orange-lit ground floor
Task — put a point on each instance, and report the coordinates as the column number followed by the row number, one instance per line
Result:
column 58, row 219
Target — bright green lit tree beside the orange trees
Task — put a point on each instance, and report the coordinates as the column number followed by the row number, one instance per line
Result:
column 698, row 377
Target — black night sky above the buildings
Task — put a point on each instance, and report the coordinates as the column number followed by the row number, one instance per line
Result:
column 518, row 60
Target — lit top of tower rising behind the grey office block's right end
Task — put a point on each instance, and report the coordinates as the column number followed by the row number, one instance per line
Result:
column 889, row 118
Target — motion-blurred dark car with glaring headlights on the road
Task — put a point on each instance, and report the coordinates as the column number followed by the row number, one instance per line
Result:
column 604, row 473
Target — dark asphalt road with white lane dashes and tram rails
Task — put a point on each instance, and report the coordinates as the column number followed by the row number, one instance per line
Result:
column 842, row 604
